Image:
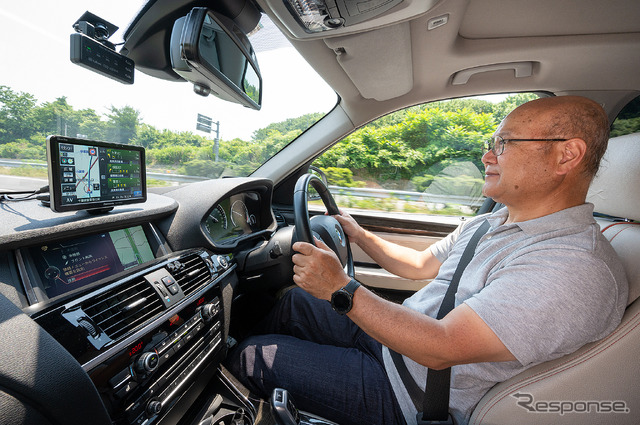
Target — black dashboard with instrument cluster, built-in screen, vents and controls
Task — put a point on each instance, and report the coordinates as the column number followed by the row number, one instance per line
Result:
column 131, row 307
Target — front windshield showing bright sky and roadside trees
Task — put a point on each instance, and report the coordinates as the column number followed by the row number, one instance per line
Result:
column 42, row 93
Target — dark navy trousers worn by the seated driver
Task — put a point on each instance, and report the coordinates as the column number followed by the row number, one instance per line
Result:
column 326, row 362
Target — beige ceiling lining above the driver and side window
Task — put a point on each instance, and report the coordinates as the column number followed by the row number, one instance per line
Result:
column 588, row 47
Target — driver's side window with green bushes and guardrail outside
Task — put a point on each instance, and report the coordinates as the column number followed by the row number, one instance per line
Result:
column 425, row 159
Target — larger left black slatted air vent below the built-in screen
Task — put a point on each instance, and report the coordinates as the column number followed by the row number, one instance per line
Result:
column 124, row 308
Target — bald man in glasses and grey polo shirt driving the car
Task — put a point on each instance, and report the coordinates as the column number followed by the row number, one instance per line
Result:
column 541, row 282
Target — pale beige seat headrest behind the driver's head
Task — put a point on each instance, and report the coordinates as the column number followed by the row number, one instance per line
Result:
column 614, row 190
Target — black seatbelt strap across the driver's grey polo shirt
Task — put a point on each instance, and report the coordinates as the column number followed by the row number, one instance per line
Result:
column 435, row 398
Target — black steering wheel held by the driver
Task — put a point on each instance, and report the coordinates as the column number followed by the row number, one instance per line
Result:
column 324, row 227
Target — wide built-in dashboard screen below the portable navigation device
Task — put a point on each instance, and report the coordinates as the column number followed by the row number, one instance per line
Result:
column 72, row 264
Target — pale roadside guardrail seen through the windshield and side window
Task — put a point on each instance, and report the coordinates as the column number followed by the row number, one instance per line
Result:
column 336, row 190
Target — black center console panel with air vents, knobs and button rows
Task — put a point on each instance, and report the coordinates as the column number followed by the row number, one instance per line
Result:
column 147, row 337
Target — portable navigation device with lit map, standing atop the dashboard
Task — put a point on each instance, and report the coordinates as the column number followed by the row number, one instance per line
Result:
column 96, row 176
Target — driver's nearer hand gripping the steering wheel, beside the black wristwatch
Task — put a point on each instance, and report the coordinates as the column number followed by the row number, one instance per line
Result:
column 317, row 269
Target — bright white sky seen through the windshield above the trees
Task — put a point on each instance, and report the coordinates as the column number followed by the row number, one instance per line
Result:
column 34, row 47
